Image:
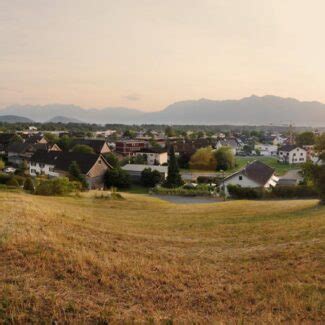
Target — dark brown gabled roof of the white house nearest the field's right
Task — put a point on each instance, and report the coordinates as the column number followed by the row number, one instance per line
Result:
column 256, row 171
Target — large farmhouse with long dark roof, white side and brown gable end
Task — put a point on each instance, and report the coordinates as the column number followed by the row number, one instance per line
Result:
column 57, row 164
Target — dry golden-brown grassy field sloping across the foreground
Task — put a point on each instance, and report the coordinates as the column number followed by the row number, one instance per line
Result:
column 88, row 260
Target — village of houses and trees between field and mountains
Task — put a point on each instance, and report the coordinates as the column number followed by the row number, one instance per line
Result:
column 140, row 159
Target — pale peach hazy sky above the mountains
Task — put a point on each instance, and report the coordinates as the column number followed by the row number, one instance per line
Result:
column 149, row 53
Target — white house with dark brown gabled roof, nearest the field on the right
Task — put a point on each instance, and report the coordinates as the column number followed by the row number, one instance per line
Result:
column 254, row 175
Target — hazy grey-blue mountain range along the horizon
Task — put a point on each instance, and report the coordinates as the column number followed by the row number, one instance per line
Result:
column 253, row 110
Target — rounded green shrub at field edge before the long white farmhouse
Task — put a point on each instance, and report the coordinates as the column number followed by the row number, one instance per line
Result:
column 55, row 186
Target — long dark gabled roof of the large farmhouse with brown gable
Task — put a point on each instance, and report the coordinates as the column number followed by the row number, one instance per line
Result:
column 62, row 160
